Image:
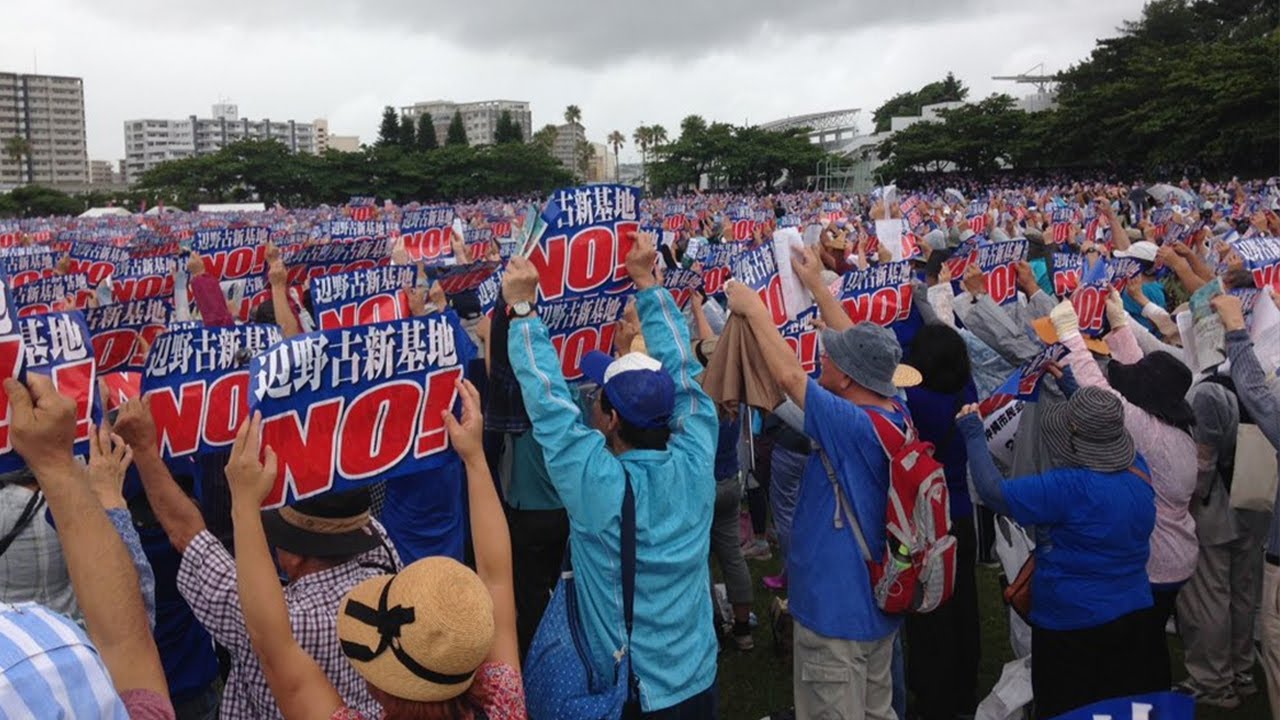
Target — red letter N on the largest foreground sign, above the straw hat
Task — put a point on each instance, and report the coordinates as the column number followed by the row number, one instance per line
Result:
column 305, row 452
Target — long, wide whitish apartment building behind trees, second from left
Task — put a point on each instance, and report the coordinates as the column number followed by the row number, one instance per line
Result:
column 148, row 143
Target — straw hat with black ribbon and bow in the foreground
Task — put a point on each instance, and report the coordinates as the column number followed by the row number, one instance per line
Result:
column 419, row 635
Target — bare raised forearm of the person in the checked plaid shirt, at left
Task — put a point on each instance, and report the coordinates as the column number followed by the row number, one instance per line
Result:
column 177, row 513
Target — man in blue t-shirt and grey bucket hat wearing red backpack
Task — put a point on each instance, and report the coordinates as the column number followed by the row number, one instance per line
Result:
column 844, row 644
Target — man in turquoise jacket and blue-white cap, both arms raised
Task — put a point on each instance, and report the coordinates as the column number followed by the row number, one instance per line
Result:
column 652, row 423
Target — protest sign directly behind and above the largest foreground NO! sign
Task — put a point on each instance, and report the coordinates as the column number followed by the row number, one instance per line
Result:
column 362, row 298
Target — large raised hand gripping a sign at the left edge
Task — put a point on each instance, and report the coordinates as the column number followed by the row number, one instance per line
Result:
column 42, row 425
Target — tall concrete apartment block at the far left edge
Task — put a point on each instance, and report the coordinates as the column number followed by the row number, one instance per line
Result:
column 48, row 113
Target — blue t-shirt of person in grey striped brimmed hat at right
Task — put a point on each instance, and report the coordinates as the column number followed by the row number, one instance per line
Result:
column 1094, row 567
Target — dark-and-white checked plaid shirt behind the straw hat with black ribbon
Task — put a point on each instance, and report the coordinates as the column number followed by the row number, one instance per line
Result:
column 207, row 580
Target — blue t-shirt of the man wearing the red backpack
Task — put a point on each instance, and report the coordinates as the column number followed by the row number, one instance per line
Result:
column 831, row 590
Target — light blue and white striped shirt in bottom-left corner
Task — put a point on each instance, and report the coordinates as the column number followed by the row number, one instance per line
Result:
column 49, row 669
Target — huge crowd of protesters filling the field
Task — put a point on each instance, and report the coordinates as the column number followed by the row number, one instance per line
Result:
column 559, row 562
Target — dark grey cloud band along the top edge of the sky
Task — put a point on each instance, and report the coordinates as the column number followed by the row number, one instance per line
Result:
column 586, row 34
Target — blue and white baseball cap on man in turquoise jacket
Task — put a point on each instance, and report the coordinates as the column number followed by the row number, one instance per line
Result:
column 642, row 393
